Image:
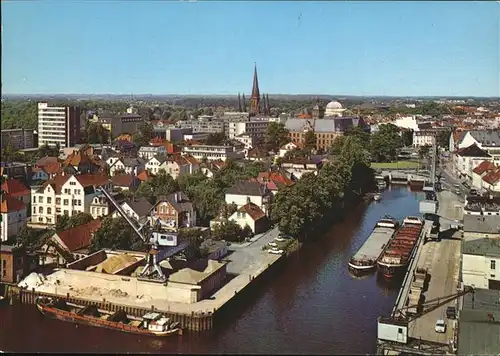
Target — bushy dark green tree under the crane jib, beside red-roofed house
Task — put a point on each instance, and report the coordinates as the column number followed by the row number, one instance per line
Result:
column 116, row 233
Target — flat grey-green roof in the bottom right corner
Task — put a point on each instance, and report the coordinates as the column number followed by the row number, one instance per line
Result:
column 479, row 334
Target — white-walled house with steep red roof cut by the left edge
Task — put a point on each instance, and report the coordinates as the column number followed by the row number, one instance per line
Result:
column 14, row 216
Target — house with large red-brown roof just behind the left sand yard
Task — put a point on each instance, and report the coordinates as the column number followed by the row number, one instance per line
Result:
column 67, row 246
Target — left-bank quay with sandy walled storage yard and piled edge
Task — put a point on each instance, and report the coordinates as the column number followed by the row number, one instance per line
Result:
column 82, row 287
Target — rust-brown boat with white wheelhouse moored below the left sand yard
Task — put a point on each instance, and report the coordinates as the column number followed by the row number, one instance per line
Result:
column 151, row 324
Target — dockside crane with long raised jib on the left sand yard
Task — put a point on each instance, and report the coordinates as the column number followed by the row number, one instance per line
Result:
column 152, row 270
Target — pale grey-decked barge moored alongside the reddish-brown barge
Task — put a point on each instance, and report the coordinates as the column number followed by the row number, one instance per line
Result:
column 366, row 257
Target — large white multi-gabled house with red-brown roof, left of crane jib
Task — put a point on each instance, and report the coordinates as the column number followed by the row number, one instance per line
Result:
column 65, row 194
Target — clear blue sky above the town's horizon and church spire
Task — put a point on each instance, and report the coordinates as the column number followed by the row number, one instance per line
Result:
column 158, row 47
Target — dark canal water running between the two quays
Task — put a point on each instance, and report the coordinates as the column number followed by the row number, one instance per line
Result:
column 310, row 305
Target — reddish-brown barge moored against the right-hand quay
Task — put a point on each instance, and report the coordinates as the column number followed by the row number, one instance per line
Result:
column 396, row 255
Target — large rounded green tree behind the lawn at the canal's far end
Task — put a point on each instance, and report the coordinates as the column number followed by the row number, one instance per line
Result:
column 386, row 143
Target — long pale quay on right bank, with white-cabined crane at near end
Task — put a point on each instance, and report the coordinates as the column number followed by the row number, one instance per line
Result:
column 430, row 287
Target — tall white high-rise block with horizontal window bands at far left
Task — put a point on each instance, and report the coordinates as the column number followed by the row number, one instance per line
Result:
column 58, row 125
